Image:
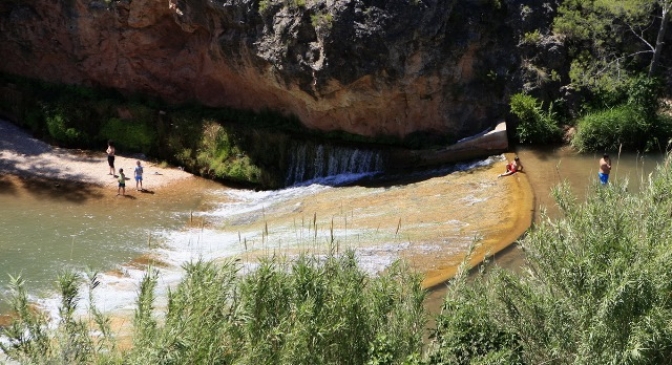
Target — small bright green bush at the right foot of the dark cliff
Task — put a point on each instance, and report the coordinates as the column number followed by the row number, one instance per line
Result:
column 534, row 125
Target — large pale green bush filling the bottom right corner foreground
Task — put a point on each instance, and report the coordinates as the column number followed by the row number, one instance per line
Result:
column 596, row 289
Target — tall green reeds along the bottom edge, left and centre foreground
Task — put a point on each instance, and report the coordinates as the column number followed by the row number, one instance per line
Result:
column 307, row 311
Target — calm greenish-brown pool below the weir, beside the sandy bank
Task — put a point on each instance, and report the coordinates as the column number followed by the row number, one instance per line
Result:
column 45, row 229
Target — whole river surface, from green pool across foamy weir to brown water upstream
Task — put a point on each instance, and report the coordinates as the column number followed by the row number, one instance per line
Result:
column 429, row 219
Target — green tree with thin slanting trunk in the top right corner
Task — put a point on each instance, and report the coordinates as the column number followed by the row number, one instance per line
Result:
column 609, row 39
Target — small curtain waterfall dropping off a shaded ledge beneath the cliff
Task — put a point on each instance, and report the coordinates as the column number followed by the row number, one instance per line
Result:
column 317, row 161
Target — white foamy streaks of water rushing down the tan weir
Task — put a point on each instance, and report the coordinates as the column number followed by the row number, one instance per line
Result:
column 118, row 293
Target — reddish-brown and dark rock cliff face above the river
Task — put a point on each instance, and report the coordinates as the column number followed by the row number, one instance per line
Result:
column 369, row 67
